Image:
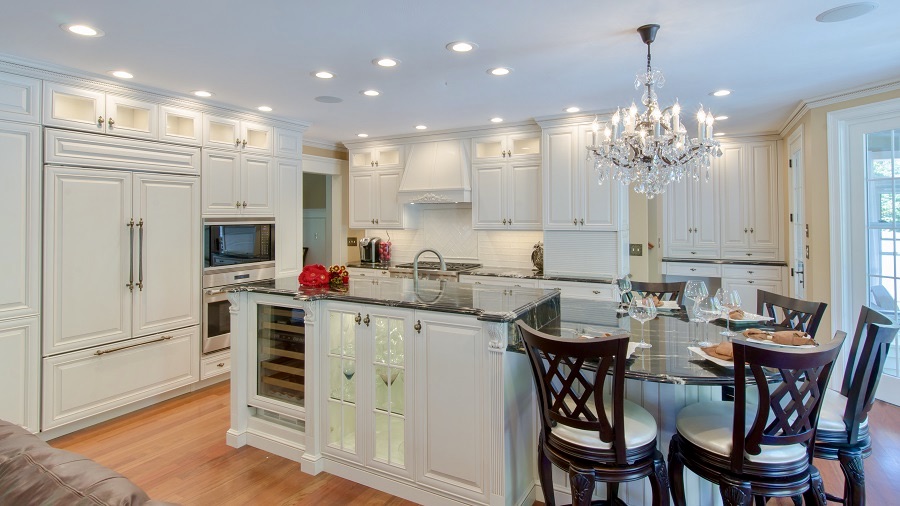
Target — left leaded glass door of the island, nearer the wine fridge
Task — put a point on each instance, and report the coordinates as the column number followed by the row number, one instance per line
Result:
column 344, row 324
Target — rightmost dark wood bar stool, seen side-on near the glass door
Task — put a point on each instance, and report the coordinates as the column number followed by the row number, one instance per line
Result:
column 843, row 431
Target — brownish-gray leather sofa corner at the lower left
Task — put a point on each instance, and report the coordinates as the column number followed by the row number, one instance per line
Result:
column 34, row 473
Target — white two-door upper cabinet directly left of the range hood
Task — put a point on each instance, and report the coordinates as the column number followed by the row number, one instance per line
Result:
column 373, row 199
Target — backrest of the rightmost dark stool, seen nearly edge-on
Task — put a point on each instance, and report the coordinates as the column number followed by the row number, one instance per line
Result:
column 868, row 353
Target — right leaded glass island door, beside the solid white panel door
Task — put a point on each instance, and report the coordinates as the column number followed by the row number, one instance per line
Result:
column 390, row 389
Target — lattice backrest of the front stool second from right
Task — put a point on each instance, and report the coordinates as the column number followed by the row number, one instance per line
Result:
column 787, row 411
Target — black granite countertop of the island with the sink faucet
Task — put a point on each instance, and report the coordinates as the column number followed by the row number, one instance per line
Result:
column 487, row 303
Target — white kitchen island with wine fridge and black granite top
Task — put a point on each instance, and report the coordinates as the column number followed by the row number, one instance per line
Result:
column 403, row 386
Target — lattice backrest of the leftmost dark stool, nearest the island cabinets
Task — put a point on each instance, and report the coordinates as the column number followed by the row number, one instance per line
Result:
column 570, row 374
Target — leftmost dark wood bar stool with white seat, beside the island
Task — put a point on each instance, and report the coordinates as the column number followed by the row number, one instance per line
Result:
column 591, row 436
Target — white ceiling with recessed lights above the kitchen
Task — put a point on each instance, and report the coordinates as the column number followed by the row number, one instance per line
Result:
column 772, row 53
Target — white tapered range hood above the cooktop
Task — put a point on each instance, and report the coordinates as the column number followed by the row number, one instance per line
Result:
column 436, row 173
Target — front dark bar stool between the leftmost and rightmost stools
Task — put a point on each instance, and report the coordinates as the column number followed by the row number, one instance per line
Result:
column 765, row 449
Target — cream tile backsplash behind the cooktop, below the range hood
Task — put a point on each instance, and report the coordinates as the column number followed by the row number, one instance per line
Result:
column 448, row 229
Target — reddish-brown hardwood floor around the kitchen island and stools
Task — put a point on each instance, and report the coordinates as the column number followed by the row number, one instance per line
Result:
column 176, row 451
